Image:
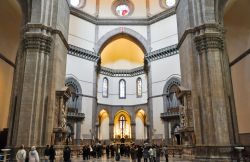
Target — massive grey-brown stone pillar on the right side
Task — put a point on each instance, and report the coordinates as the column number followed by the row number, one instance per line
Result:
column 205, row 71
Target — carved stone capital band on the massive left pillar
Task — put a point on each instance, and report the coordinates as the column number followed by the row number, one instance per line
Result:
column 37, row 41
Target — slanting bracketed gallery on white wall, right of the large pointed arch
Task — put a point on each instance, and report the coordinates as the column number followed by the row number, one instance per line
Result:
column 162, row 53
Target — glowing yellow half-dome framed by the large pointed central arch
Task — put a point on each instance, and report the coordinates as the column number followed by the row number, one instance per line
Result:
column 122, row 52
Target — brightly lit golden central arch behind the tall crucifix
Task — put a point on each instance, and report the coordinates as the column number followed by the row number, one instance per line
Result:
column 122, row 125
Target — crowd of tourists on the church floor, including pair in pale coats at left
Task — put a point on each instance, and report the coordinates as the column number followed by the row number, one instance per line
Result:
column 135, row 152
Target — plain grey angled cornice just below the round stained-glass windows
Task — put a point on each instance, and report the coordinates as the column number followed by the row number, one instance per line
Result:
column 122, row 21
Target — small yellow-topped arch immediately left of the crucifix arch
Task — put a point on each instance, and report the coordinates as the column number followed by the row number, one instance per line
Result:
column 103, row 125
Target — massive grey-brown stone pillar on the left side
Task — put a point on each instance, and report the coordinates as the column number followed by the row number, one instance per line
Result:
column 40, row 71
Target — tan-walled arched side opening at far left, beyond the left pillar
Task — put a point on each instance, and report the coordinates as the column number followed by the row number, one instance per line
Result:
column 10, row 29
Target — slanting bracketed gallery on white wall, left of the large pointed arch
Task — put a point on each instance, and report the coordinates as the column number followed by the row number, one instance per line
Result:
column 82, row 53
